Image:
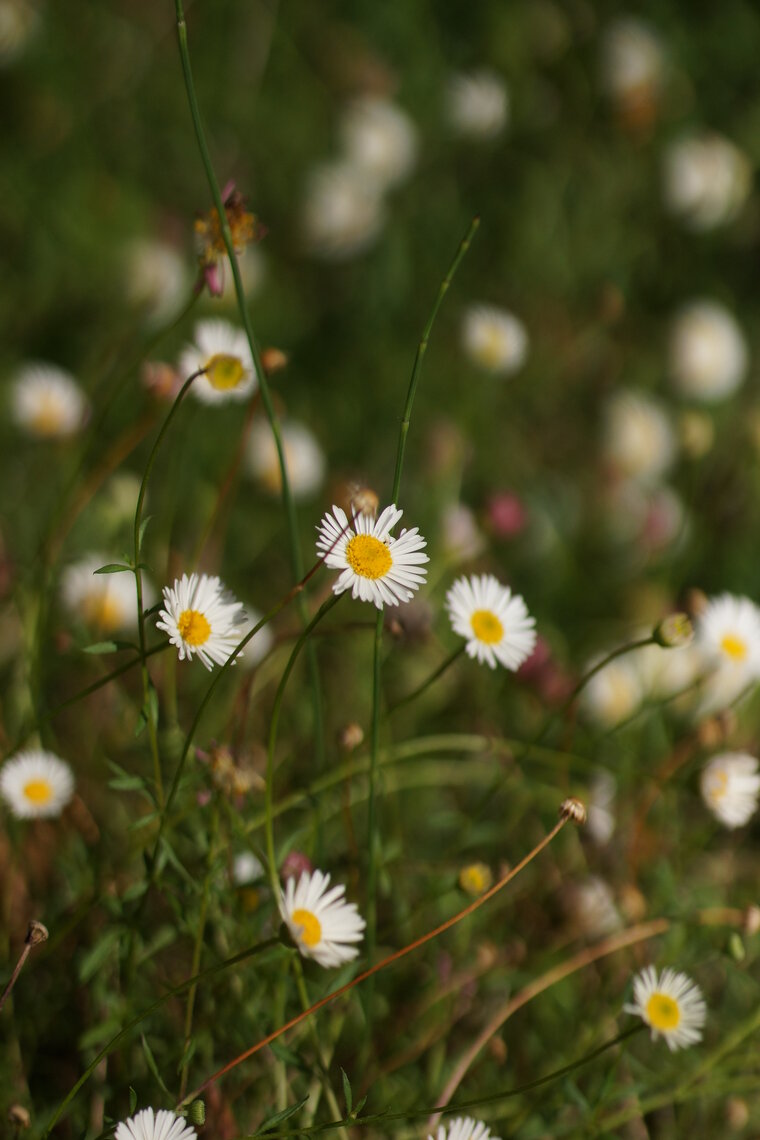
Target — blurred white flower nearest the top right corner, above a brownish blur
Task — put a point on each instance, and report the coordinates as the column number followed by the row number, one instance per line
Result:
column 633, row 60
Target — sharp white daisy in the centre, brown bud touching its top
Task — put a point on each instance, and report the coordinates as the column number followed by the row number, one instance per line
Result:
column 377, row 567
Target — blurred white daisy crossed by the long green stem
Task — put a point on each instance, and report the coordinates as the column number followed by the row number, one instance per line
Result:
column 304, row 458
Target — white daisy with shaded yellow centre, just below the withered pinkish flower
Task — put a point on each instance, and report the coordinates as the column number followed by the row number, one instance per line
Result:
column 224, row 352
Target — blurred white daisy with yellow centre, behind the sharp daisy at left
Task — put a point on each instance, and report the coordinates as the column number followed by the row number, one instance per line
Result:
column 107, row 602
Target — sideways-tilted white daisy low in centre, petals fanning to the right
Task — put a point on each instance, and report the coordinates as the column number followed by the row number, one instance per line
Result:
column 322, row 924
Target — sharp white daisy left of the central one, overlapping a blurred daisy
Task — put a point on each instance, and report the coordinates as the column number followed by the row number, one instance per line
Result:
column 202, row 618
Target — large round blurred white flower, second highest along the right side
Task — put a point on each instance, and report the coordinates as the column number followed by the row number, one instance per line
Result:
column 707, row 181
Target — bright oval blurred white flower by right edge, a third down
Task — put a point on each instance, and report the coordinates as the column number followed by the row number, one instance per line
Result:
column 708, row 352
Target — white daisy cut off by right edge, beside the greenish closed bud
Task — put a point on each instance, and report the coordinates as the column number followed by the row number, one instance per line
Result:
column 729, row 634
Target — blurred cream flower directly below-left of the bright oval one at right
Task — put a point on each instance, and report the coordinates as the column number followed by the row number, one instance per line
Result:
column 639, row 441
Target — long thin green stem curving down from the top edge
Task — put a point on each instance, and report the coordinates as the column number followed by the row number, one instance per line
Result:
column 264, row 384
